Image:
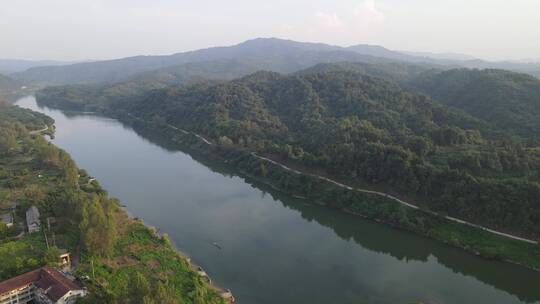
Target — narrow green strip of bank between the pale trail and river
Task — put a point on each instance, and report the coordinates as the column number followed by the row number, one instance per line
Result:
column 377, row 207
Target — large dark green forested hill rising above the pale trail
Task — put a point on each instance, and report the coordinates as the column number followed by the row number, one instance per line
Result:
column 359, row 129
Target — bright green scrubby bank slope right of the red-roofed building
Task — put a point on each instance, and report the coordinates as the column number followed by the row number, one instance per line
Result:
column 140, row 250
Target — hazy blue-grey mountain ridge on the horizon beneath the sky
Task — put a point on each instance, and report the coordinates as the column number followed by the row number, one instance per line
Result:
column 278, row 55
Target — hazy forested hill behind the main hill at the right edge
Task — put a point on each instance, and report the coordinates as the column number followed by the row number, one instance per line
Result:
column 510, row 101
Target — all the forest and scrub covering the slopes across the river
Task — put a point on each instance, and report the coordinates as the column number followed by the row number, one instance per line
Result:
column 368, row 132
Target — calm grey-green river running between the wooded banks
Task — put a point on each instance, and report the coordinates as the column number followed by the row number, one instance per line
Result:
column 274, row 249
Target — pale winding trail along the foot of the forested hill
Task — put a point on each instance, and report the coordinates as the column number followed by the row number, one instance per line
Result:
column 385, row 195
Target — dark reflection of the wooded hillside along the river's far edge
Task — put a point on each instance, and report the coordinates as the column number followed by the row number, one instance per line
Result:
column 378, row 238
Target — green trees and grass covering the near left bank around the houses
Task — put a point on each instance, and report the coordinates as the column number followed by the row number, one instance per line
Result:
column 119, row 258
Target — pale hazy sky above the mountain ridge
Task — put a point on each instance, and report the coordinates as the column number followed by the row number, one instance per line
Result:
column 98, row 29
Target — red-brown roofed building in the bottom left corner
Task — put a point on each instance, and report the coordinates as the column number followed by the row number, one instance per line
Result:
column 43, row 286
